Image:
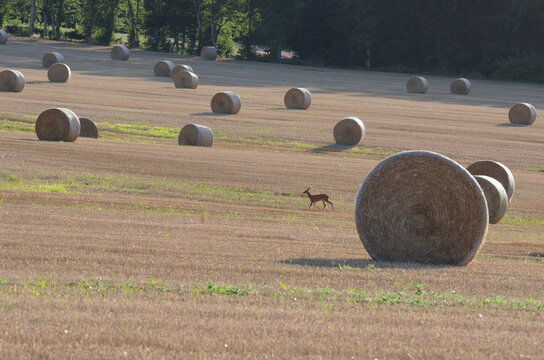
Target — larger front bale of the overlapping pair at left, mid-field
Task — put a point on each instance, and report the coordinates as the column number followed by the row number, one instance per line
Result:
column 58, row 124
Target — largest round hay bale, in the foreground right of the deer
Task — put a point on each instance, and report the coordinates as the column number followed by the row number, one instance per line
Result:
column 420, row 206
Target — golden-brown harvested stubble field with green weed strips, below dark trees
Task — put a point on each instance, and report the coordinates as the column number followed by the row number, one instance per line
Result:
column 132, row 246
